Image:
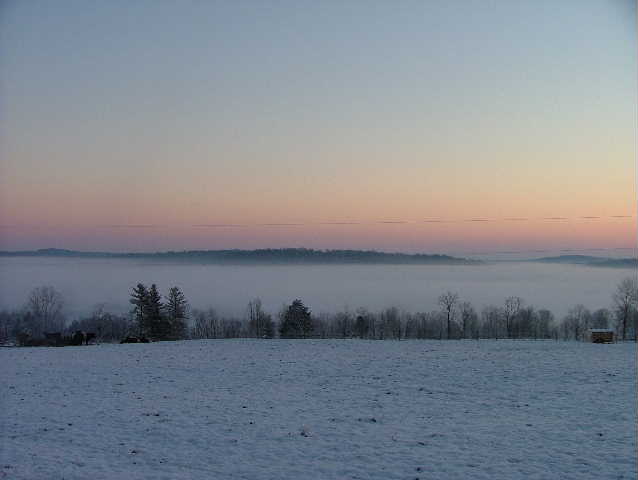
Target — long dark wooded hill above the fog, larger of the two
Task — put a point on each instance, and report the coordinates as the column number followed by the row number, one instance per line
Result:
column 272, row 256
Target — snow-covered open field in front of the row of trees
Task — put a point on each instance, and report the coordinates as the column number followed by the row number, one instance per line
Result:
column 259, row 409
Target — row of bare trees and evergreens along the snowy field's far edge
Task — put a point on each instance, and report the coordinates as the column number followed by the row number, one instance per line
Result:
column 169, row 317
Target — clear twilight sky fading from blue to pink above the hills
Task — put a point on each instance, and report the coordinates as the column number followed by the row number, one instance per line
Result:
column 161, row 125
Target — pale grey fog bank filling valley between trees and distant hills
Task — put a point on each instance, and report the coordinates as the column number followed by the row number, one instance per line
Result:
column 324, row 288
